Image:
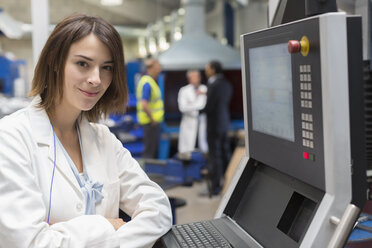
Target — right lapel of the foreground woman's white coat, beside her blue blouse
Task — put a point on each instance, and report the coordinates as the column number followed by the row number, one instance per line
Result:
column 91, row 151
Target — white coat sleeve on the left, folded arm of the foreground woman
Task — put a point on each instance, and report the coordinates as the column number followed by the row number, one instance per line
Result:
column 22, row 209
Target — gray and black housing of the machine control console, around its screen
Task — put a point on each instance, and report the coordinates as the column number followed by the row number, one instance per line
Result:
column 328, row 181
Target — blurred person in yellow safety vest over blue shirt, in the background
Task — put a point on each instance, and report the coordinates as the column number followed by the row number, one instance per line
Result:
column 150, row 107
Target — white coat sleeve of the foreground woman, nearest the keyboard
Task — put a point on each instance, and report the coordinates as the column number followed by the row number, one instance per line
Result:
column 143, row 200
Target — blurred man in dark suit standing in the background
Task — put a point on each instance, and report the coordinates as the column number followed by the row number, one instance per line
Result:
column 218, row 121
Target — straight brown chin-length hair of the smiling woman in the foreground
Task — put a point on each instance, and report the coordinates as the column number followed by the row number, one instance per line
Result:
column 49, row 77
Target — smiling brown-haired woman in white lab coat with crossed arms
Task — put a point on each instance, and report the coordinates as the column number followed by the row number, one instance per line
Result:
column 63, row 177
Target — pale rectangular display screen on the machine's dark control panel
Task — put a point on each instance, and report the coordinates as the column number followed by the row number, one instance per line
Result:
column 271, row 91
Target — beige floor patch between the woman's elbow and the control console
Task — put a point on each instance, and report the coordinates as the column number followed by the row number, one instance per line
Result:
column 197, row 207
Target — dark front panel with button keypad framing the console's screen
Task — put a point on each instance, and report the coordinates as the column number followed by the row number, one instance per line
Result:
column 284, row 155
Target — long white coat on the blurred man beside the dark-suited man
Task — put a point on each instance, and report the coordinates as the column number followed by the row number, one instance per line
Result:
column 189, row 104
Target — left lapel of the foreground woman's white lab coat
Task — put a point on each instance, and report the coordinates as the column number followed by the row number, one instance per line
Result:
column 43, row 135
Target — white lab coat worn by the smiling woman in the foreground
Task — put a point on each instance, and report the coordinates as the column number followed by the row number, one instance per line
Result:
column 26, row 165
